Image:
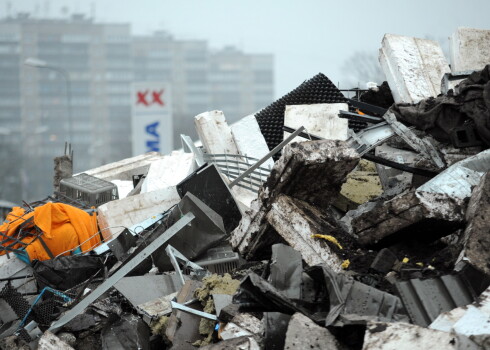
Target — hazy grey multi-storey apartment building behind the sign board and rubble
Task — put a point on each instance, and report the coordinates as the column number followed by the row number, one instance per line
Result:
column 82, row 94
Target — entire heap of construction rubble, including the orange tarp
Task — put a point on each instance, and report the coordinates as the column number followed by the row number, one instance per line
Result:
column 320, row 222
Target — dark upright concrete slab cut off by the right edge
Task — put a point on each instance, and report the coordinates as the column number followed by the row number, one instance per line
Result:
column 476, row 236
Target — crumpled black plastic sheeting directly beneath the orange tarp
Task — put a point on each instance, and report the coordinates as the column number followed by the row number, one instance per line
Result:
column 67, row 272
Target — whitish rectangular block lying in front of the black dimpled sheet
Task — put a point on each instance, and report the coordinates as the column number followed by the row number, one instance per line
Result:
column 318, row 119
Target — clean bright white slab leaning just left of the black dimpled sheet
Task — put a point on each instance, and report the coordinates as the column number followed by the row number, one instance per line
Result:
column 249, row 140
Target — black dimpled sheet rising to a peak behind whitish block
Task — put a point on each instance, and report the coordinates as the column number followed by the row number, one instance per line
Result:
column 318, row 89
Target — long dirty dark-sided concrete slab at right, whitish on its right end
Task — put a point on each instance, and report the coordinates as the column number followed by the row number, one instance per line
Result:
column 401, row 212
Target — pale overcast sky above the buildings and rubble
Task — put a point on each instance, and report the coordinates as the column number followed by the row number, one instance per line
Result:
column 306, row 37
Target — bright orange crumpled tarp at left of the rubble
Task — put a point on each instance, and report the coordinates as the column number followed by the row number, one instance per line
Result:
column 64, row 228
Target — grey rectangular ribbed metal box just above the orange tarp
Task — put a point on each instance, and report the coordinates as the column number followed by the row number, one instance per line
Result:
column 89, row 189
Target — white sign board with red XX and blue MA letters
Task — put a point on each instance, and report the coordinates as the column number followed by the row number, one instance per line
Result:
column 151, row 120
